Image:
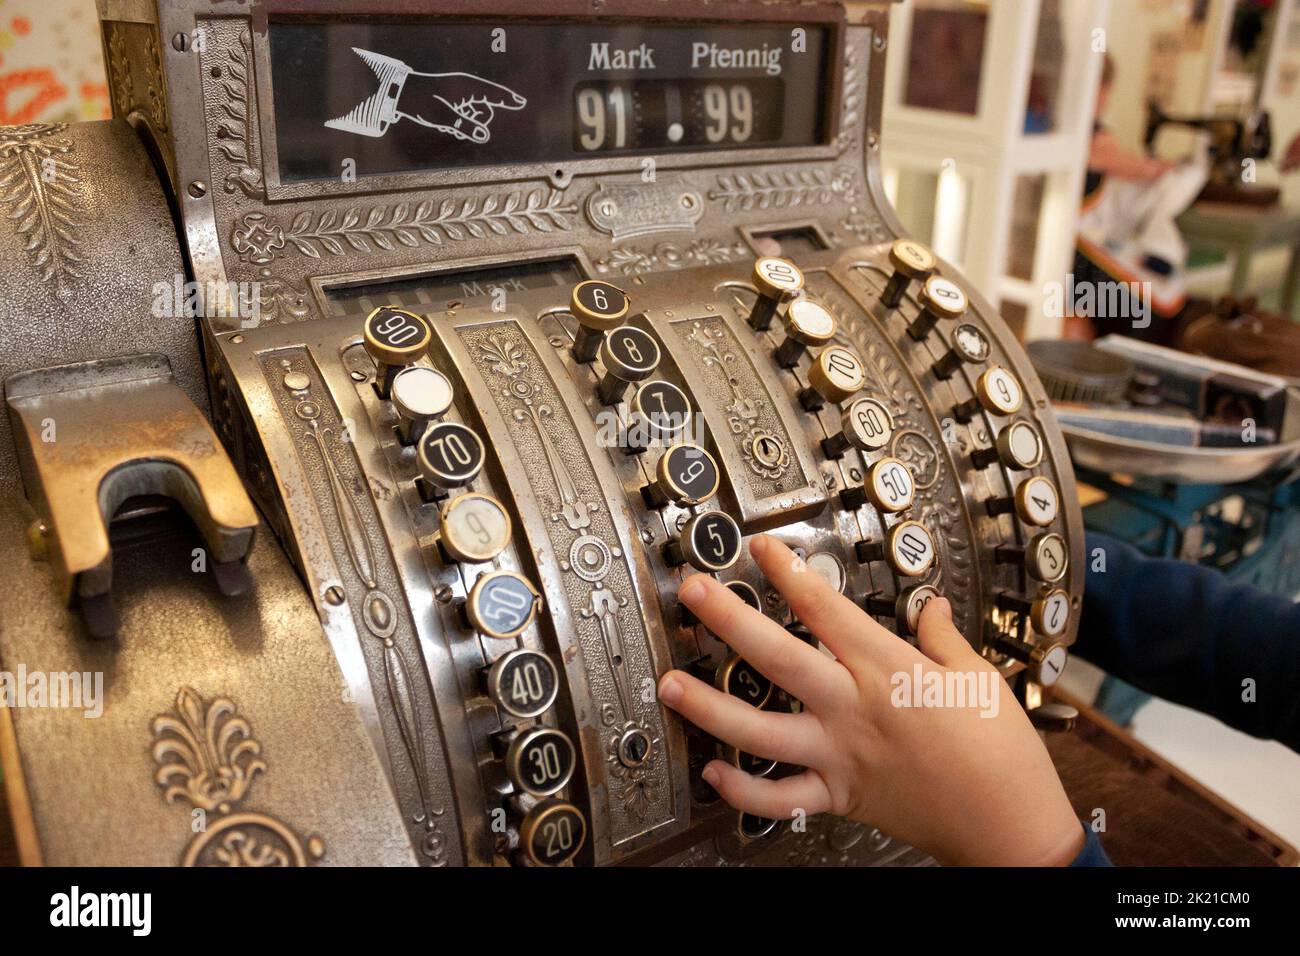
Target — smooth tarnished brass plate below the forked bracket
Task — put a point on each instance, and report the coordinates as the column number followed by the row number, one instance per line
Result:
column 93, row 782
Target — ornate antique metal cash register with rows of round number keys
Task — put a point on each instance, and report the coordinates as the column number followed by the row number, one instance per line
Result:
column 376, row 375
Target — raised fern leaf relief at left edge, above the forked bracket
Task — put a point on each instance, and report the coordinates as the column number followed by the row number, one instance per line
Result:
column 42, row 189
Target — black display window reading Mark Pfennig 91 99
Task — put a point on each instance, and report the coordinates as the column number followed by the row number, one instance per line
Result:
column 376, row 98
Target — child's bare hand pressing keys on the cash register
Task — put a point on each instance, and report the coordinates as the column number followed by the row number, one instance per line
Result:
column 964, row 788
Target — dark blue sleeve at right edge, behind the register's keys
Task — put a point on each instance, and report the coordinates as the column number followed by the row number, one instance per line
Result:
column 1186, row 634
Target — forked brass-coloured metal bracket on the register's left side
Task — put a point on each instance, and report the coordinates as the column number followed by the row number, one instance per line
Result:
column 92, row 436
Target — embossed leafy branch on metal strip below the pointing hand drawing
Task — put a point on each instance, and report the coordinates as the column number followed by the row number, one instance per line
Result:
column 404, row 224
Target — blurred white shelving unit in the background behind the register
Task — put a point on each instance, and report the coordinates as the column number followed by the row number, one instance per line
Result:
column 993, row 198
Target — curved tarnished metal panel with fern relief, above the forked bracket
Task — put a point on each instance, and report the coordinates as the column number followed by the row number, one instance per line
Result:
column 79, row 282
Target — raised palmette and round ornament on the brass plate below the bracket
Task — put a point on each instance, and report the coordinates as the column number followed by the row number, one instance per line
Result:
column 207, row 755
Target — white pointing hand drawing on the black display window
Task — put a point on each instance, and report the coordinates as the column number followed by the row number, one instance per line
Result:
column 458, row 105
